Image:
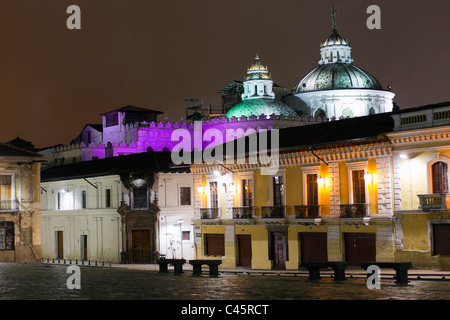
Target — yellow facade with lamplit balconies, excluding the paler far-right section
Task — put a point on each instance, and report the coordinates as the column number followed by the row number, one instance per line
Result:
column 332, row 203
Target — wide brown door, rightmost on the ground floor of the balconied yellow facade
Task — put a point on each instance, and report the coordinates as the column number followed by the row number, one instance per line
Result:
column 359, row 247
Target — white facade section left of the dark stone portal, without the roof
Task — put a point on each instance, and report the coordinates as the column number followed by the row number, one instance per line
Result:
column 80, row 219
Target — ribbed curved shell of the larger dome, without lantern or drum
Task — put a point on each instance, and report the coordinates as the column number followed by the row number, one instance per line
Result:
column 337, row 76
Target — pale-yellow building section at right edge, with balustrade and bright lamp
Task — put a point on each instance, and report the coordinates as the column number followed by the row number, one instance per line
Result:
column 420, row 144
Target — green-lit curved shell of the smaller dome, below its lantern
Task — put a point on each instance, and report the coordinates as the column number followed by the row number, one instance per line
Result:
column 260, row 106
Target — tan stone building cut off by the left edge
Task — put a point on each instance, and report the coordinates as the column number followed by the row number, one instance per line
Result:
column 20, row 220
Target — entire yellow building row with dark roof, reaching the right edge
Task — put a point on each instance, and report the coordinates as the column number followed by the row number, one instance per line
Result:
column 372, row 188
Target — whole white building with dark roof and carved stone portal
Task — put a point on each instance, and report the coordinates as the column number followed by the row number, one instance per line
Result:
column 118, row 209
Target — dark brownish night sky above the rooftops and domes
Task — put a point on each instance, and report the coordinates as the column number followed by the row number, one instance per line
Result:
column 155, row 54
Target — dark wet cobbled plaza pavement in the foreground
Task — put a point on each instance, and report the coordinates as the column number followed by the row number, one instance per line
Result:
column 144, row 282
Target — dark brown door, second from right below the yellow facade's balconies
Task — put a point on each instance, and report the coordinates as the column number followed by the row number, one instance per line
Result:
column 313, row 246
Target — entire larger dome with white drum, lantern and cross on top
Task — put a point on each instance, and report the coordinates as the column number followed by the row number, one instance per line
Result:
column 338, row 88
